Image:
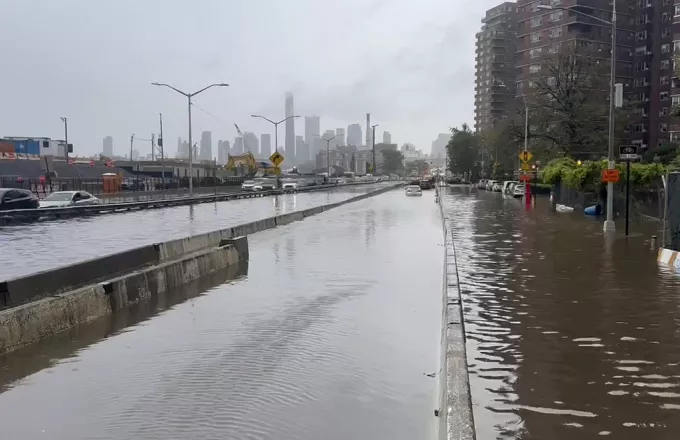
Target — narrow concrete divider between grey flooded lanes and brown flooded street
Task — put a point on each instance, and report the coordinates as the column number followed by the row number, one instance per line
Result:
column 456, row 421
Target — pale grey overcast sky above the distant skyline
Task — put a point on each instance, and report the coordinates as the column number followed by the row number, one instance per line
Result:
column 410, row 63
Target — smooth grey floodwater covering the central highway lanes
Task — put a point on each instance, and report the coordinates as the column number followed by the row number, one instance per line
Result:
column 330, row 335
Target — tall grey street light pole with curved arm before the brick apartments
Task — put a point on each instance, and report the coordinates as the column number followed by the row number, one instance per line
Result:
column 609, row 225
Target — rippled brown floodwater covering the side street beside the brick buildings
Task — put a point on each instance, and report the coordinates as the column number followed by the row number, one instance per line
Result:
column 569, row 335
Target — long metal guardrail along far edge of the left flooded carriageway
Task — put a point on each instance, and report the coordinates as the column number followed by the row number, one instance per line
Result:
column 25, row 215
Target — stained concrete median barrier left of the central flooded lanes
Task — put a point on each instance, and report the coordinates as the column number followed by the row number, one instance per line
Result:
column 48, row 302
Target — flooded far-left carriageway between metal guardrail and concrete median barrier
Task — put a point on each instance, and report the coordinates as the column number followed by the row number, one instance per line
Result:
column 33, row 247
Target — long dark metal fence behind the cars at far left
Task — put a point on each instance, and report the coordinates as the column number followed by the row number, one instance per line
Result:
column 42, row 187
